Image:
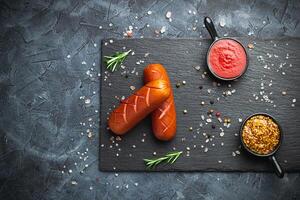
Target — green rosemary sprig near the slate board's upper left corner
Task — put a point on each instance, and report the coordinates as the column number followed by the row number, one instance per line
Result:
column 113, row 62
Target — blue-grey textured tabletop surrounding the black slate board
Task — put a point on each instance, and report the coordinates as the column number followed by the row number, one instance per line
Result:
column 42, row 115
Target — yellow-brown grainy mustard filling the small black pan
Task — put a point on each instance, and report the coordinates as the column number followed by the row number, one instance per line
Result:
column 261, row 134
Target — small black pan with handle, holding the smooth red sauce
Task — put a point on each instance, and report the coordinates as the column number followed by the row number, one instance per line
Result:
column 213, row 33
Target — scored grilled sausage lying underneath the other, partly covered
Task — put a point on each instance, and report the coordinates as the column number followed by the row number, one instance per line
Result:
column 164, row 117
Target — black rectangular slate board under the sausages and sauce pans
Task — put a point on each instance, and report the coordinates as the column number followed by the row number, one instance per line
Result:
column 180, row 56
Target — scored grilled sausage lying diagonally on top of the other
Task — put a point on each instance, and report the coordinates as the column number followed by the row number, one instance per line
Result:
column 137, row 106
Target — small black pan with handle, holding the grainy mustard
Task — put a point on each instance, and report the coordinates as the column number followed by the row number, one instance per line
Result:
column 279, row 171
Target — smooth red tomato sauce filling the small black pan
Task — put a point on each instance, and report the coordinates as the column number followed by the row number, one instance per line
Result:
column 227, row 59
